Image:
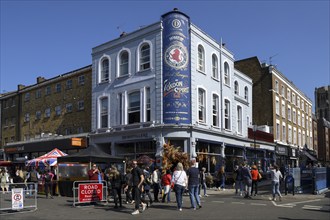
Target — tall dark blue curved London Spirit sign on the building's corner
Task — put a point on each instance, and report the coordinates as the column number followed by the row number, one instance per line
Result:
column 176, row 69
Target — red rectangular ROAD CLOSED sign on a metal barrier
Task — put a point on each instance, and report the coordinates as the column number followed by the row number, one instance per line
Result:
column 90, row 192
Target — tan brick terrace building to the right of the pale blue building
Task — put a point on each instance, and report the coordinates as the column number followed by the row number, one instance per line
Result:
column 278, row 103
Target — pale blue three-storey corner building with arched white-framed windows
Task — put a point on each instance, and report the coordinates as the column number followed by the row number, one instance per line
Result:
column 170, row 82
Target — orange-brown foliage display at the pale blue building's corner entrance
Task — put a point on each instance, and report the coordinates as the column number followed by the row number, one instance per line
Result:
column 173, row 155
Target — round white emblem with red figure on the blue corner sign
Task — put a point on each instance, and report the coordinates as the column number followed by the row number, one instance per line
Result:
column 176, row 56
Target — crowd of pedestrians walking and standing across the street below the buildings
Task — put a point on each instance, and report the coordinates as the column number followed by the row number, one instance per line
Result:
column 138, row 183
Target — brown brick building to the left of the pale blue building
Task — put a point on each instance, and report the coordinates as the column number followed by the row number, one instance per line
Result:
column 40, row 117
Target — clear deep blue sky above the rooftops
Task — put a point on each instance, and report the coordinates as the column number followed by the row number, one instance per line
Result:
column 49, row 38
